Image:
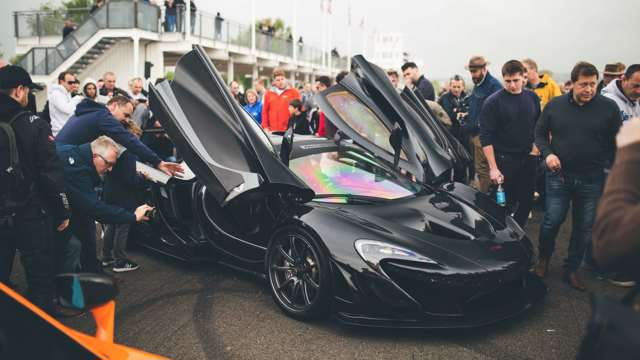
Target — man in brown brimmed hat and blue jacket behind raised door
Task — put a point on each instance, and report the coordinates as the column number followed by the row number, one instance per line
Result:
column 485, row 85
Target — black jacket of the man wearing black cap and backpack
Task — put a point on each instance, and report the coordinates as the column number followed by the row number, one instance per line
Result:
column 39, row 162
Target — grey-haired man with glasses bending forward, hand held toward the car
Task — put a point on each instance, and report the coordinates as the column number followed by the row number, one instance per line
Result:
column 83, row 166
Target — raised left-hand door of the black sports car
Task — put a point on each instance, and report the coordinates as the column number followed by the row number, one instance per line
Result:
column 225, row 148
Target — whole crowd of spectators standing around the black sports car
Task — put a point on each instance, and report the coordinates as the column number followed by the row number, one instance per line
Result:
column 527, row 135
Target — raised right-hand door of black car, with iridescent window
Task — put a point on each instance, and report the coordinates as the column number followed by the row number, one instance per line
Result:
column 380, row 109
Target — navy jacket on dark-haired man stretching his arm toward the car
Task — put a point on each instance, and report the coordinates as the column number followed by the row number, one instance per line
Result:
column 92, row 120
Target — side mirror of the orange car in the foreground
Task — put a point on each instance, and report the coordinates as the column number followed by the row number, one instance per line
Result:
column 84, row 291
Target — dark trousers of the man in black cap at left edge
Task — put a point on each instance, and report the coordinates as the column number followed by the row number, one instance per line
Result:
column 32, row 236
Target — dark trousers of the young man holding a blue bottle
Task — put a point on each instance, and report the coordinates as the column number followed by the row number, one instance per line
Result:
column 519, row 171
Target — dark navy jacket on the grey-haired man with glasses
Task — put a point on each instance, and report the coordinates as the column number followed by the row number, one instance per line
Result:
column 82, row 179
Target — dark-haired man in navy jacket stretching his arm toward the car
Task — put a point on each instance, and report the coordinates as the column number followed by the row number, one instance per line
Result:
column 92, row 120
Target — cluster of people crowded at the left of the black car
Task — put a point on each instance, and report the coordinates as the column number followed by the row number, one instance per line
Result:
column 69, row 167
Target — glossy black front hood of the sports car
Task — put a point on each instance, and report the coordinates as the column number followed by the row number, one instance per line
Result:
column 444, row 228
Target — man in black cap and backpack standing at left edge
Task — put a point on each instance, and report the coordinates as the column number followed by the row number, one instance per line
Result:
column 28, row 205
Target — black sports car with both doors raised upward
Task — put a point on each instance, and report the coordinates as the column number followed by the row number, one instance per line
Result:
column 367, row 226
